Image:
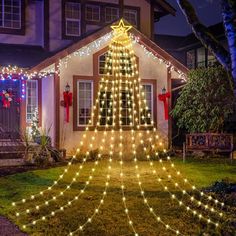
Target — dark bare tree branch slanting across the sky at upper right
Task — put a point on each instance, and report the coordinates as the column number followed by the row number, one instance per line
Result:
column 204, row 35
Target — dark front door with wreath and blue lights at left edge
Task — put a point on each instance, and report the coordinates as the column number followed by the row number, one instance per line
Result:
column 10, row 113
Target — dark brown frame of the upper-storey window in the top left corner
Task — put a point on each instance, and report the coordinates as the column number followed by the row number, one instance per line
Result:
column 16, row 31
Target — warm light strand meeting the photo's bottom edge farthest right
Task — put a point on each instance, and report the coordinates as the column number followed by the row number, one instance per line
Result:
column 134, row 153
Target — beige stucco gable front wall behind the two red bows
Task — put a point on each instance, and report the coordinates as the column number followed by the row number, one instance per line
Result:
column 149, row 69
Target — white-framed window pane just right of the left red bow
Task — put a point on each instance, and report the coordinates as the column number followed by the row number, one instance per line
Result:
column 85, row 101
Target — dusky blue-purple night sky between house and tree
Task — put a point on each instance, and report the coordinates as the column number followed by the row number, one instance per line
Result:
column 207, row 10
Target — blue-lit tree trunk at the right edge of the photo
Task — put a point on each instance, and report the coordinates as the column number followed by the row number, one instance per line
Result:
column 229, row 20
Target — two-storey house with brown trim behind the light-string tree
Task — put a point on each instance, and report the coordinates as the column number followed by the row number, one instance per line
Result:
column 65, row 43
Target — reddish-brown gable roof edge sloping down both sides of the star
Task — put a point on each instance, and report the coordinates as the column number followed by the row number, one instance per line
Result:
column 150, row 45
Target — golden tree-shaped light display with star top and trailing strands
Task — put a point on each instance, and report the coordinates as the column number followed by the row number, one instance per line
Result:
column 121, row 110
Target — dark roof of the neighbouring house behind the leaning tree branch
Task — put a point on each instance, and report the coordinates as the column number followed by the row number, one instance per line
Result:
column 172, row 42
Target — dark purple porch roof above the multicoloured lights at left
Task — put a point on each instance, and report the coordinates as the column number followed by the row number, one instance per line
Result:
column 23, row 56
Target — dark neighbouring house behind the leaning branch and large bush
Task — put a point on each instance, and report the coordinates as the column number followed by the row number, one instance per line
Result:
column 191, row 53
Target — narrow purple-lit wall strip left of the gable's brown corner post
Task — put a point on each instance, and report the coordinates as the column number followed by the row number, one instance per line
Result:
column 48, row 106
